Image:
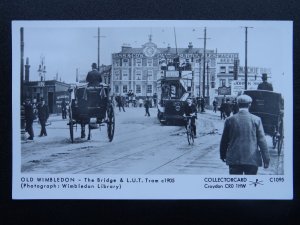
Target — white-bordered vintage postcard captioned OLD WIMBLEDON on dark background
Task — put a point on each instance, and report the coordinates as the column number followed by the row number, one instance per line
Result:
column 152, row 109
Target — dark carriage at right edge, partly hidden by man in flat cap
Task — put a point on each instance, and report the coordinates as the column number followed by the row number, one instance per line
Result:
column 269, row 106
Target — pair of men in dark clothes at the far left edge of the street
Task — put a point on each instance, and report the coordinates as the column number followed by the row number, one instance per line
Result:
column 42, row 113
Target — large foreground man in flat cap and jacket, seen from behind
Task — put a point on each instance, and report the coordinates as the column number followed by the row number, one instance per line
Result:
column 243, row 144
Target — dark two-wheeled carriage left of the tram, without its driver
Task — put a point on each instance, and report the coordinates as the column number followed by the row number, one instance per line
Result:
column 91, row 105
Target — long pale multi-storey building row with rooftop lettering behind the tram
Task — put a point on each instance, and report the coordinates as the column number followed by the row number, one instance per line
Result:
column 138, row 69
